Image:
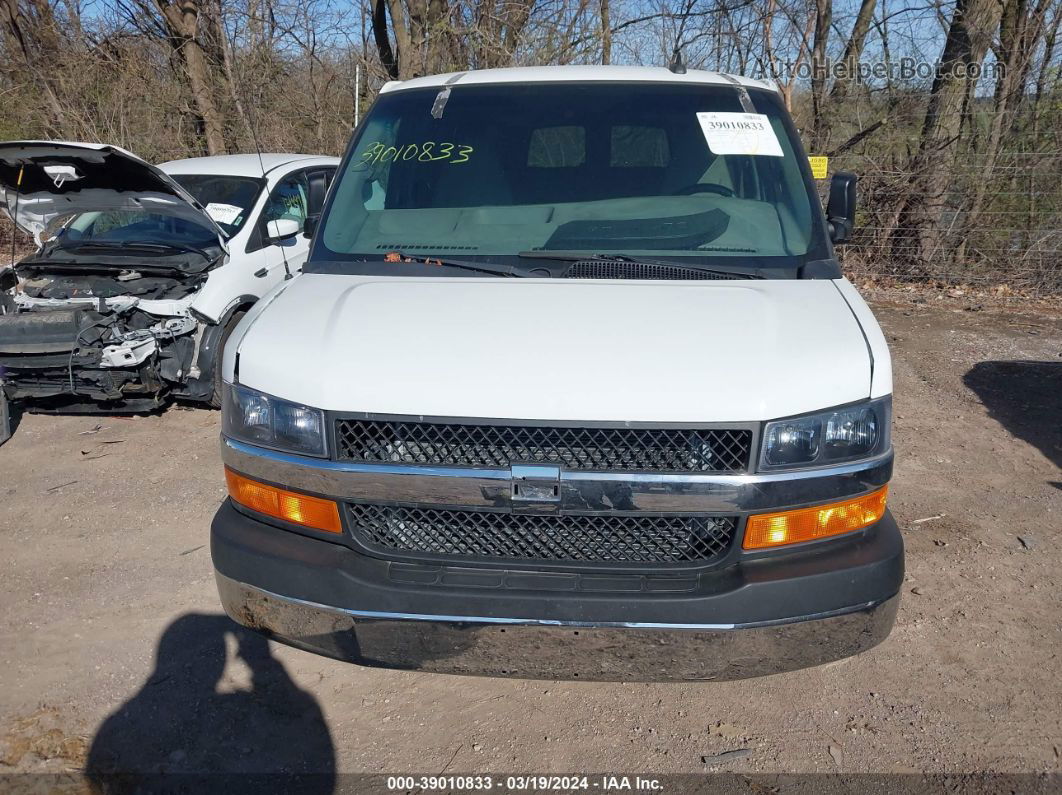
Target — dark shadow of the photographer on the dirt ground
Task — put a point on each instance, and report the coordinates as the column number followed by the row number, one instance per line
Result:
column 180, row 733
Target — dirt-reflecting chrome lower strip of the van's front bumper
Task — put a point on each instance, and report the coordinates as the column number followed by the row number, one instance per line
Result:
column 558, row 650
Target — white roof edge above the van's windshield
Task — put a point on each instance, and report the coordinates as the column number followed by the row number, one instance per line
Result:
column 576, row 74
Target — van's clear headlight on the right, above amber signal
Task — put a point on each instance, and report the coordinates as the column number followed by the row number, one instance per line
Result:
column 828, row 438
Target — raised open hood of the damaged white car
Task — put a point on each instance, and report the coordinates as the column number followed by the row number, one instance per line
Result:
column 41, row 181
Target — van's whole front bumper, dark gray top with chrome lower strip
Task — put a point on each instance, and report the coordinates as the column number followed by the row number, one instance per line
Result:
column 764, row 616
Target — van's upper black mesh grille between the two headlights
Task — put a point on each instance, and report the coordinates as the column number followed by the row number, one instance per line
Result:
column 601, row 450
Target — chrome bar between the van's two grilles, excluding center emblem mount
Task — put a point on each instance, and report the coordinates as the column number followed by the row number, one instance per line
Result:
column 580, row 491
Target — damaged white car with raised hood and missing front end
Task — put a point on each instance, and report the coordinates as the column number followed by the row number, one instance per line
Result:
column 141, row 271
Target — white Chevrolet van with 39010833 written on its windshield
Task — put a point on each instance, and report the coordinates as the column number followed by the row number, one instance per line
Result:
column 571, row 387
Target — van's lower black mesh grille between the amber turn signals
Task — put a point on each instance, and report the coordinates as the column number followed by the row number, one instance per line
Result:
column 601, row 539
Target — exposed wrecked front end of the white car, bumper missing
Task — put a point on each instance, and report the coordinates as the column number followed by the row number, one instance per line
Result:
column 118, row 341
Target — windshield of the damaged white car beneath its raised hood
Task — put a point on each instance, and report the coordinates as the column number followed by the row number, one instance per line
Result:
column 125, row 229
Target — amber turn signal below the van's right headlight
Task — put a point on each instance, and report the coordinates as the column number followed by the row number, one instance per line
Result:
column 766, row 531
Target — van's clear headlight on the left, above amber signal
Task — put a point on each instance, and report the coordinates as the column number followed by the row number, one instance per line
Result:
column 252, row 417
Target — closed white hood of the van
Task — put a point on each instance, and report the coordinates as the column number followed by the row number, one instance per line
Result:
column 558, row 350
